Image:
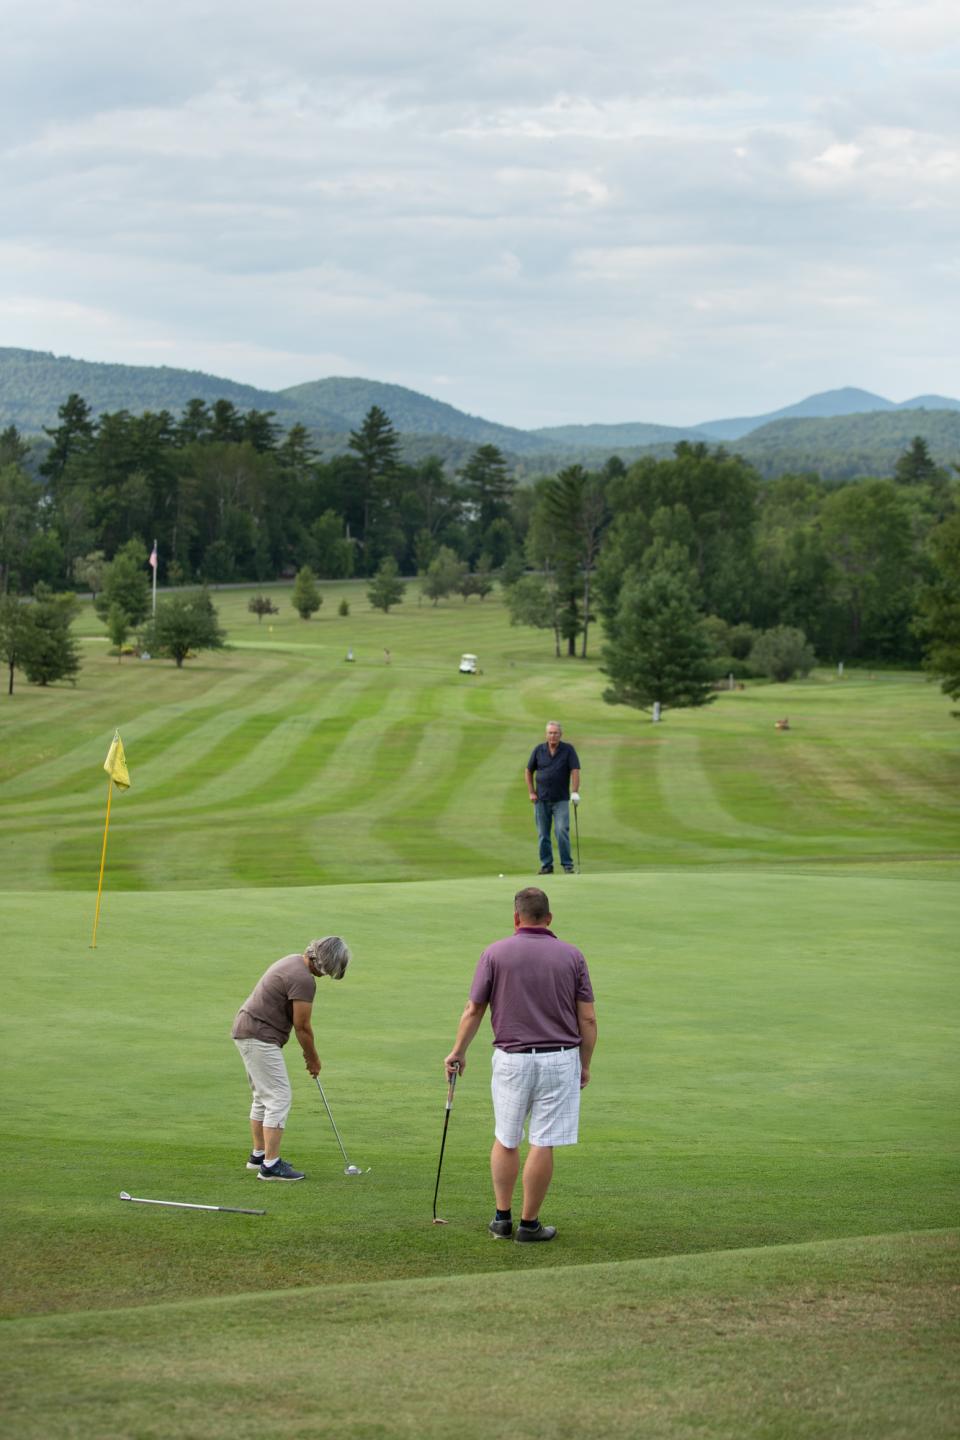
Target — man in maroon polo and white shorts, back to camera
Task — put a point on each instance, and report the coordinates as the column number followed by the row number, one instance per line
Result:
column 545, row 1033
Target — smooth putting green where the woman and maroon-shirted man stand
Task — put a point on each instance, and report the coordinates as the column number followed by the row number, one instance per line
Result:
column 776, row 1065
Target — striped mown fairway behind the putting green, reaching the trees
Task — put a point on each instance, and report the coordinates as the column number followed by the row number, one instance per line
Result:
column 279, row 764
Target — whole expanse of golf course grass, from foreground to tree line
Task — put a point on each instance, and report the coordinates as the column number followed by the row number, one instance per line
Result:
column 756, row 1232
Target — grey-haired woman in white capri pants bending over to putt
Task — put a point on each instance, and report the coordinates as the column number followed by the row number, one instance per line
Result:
column 281, row 1002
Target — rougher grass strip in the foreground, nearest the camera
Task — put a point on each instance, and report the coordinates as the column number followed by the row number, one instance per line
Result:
column 841, row 1340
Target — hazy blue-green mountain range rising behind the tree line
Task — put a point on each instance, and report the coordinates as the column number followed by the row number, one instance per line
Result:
column 35, row 384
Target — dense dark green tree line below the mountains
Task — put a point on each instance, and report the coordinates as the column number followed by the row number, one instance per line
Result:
column 860, row 571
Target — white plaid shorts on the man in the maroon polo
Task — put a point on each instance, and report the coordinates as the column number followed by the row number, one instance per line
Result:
column 545, row 1089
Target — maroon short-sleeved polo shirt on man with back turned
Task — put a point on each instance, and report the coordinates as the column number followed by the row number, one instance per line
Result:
column 532, row 983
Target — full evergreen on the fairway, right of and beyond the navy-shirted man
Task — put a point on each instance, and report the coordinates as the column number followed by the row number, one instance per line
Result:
column 658, row 652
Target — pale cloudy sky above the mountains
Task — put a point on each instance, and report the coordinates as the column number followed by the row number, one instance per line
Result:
column 539, row 212
